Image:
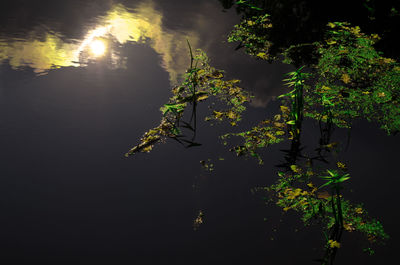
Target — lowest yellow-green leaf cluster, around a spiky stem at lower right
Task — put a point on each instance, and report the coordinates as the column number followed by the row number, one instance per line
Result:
column 296, row 190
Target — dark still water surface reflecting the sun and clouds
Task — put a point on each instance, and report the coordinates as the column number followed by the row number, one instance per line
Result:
column 80, row 81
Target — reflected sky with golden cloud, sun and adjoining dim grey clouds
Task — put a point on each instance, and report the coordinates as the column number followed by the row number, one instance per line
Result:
column 47, row 41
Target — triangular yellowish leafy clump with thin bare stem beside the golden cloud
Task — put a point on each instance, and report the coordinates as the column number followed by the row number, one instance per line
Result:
column 201, row 82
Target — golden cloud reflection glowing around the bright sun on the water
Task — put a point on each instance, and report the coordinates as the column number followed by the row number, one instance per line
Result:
column 119, row 26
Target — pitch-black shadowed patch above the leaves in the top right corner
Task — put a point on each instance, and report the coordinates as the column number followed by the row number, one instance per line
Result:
column 299, row 22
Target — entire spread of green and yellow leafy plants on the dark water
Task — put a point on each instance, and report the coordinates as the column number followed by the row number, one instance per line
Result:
column 346, row 79
